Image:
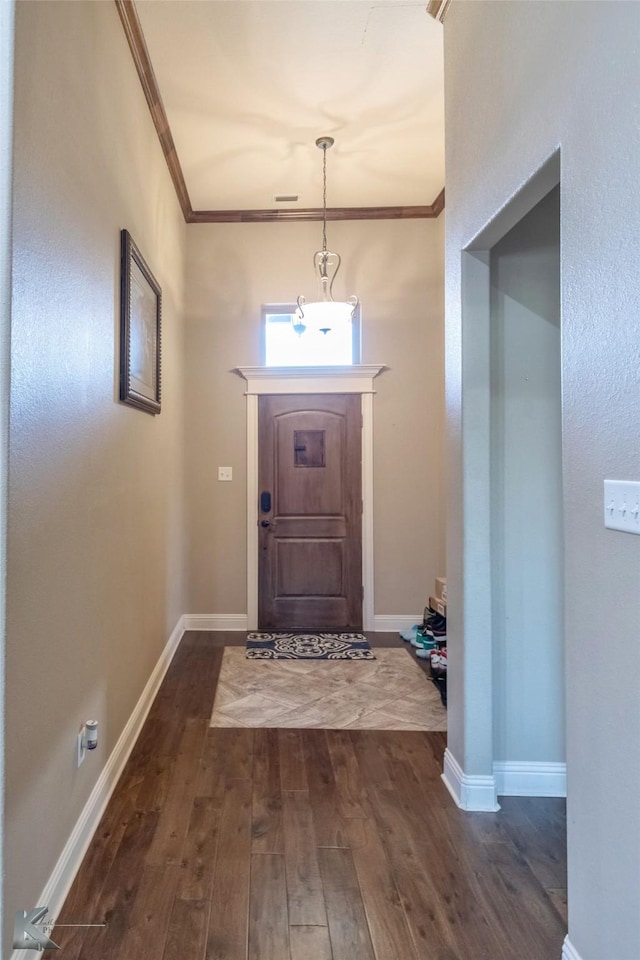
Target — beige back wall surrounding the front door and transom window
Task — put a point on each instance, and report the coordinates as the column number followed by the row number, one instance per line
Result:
column 396, row 270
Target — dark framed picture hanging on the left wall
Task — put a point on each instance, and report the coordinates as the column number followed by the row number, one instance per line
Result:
column 140, row 330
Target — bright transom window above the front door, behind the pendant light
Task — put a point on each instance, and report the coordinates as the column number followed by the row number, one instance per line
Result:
column 283, row 347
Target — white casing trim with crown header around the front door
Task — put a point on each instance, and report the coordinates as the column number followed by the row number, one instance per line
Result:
column 301, row 380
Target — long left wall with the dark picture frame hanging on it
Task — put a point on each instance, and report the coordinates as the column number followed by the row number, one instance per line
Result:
column 95, row 582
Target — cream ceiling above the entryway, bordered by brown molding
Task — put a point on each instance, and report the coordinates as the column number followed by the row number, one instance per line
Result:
column 248, row 86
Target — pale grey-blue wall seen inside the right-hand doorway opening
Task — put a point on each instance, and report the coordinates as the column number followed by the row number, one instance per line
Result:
column 526, row 480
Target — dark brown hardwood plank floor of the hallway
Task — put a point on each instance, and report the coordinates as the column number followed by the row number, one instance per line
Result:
column 269, row 844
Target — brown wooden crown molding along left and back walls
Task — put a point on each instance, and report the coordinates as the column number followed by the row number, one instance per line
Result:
column 142, row 60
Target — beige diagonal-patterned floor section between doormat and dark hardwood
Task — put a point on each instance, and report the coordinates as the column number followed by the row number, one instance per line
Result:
column 388, row 693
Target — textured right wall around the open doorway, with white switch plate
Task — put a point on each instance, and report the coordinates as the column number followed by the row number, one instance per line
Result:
column 523, row 79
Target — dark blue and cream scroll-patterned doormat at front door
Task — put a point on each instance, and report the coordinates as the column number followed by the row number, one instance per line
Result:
column 308, row 646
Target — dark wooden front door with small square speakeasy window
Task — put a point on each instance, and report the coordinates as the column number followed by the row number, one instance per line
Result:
column 310, row 512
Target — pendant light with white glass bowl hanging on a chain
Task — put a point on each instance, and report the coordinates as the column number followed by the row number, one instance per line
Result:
column 325, row 313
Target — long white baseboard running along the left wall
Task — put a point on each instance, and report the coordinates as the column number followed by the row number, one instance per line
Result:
column 59, row 883
